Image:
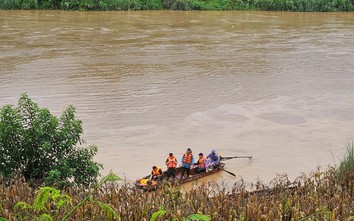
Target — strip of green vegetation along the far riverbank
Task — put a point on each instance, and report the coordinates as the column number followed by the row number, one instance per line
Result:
column 123, row 5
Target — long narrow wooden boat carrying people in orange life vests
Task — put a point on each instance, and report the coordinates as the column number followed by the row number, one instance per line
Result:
column 178, row 180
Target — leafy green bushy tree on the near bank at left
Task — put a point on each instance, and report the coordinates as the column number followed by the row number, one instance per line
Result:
column 40, row 146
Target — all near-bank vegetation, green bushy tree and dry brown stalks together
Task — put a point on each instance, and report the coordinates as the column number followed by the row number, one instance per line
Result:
column 66, row 186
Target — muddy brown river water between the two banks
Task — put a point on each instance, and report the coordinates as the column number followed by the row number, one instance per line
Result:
column 274, row 85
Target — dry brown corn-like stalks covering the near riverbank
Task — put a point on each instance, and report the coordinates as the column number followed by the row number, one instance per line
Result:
column 322, row 195
